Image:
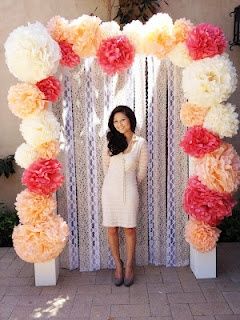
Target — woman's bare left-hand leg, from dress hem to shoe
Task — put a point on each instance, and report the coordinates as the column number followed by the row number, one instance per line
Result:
column 113, row 241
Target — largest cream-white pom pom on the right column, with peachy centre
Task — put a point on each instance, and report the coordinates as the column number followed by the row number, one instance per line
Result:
column 209, row 81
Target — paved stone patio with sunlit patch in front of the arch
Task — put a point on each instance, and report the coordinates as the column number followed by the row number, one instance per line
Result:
column 159, row 293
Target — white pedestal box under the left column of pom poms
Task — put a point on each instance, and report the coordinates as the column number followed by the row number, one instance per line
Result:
column 46, row 273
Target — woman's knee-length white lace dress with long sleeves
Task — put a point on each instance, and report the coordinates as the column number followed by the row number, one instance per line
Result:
column 123, row 174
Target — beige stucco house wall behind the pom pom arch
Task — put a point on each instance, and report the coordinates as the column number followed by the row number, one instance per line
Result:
column 17, row 12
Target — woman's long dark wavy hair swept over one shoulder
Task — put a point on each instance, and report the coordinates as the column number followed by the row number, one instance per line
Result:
column 117, row 141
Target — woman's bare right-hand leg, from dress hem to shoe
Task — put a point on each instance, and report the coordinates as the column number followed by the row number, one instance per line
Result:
column 130, row 236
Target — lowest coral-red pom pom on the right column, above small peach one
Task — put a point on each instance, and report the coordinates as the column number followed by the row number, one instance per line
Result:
column 206, row 205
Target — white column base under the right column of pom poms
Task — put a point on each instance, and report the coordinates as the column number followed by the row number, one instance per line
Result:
column 203, row 265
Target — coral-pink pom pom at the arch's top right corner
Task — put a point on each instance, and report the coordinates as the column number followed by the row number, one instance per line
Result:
column 206, row 40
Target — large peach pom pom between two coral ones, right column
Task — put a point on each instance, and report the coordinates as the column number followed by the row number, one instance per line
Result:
column 220, row 170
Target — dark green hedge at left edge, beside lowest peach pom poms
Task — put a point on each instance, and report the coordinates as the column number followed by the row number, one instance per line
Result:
column 8, row 219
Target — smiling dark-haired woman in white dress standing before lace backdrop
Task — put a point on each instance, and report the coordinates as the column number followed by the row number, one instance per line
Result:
column 125, row 166
